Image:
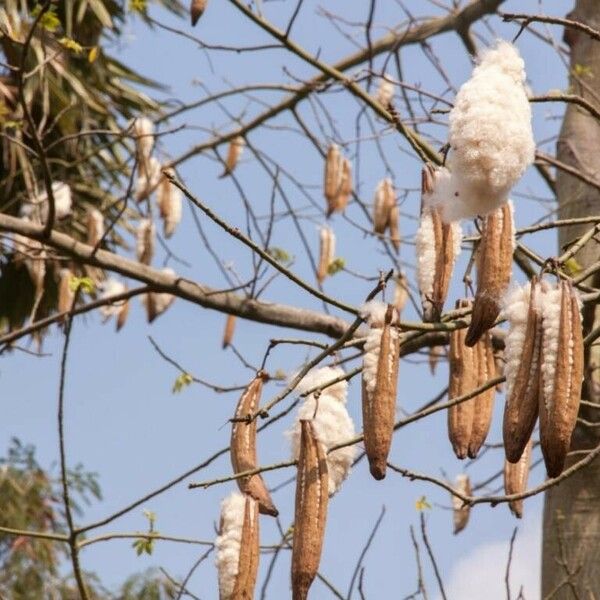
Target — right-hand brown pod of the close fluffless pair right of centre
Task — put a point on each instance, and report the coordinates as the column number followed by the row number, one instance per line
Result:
column 484, row 402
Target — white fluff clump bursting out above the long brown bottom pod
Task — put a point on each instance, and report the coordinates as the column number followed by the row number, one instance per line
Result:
column 331, row 422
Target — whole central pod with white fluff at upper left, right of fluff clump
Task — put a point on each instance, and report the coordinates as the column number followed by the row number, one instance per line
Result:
column 379, row 383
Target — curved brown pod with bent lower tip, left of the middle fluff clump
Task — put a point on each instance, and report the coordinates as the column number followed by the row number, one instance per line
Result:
column 243, row 446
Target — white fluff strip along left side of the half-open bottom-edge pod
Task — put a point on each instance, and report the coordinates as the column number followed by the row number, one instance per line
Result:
column 228, row 543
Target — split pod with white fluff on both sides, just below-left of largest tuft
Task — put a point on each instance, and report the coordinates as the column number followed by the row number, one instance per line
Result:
column 437, row 246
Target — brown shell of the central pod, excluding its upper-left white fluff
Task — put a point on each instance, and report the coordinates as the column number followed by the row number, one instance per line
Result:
column 379, row 406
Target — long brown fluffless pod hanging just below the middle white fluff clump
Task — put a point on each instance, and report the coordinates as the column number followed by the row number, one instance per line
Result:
column 310, row 512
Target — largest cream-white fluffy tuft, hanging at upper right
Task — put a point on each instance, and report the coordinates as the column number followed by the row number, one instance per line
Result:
column 490, row 137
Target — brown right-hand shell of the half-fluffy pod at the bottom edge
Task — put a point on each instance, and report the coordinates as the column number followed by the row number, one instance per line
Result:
column 245, row 580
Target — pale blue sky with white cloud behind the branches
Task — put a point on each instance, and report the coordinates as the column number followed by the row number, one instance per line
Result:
column 122, row 420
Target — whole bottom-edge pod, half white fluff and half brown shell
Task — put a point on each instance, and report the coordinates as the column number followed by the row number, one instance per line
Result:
column 237, row 548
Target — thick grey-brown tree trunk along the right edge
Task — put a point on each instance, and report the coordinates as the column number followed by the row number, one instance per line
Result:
column 571, row 534
